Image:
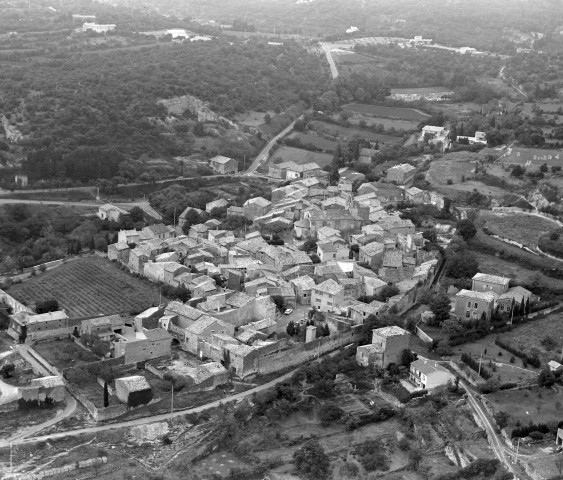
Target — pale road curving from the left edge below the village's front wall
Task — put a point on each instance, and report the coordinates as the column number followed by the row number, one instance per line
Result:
column 146, row 420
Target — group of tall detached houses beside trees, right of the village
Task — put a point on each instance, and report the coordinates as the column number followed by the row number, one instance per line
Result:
column 488, row 292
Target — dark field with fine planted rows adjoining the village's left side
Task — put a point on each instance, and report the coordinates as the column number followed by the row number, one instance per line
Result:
column 89, row 286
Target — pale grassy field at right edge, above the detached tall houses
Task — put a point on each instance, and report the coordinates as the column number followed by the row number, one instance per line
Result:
column 523, row 228
